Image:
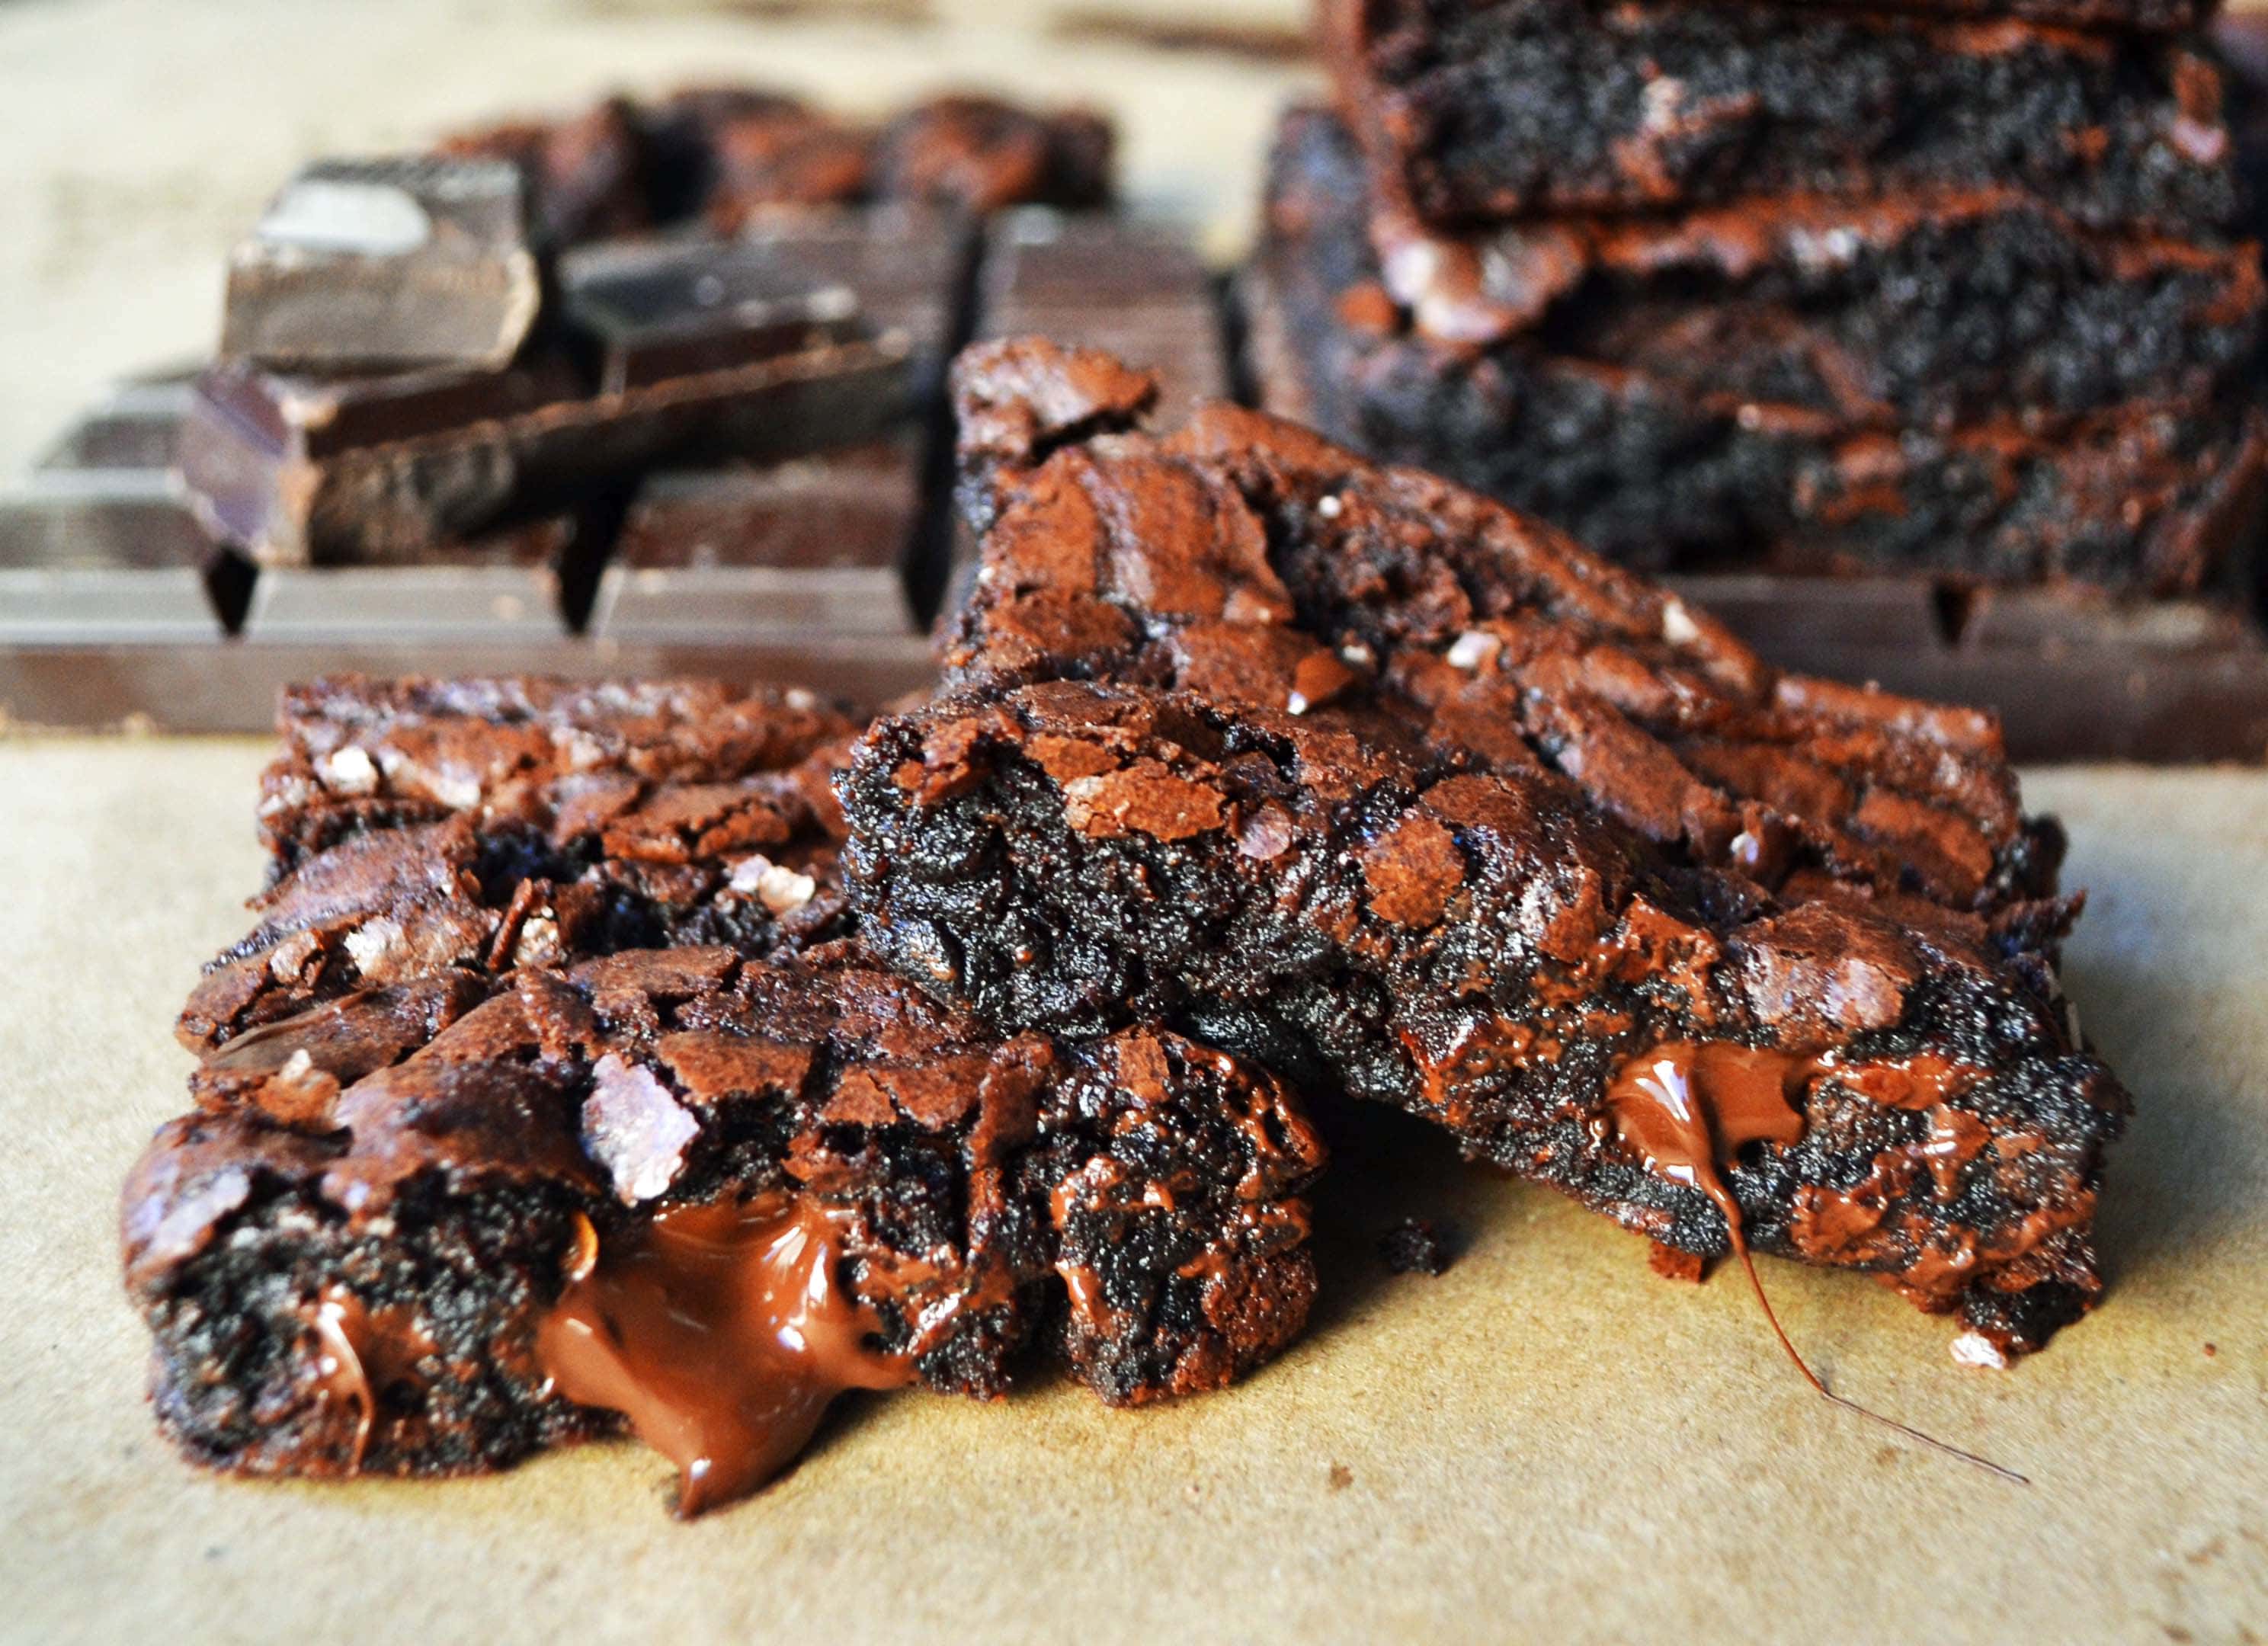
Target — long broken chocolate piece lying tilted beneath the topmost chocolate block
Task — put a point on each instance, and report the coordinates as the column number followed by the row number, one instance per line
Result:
column 384, row 470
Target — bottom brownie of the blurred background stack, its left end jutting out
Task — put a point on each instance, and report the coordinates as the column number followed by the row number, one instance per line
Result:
column 1666, row 473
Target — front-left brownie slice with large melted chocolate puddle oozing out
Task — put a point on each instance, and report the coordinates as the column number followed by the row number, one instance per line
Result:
column 709, row 1196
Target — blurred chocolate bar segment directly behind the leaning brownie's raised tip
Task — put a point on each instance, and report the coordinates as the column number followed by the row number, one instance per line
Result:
column 1108, row 285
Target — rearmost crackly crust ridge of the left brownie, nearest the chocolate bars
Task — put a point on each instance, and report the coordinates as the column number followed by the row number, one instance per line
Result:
column 545, row 752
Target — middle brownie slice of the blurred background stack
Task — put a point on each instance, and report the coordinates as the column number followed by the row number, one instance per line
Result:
column 1893, row 312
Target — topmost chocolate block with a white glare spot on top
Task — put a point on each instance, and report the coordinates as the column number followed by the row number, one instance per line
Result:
column 387, row 264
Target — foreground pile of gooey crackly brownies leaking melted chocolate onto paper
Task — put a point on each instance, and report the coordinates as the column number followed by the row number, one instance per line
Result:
column 677, row 1058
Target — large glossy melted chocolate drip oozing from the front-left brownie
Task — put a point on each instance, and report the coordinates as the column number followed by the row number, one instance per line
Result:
column 722, row 1334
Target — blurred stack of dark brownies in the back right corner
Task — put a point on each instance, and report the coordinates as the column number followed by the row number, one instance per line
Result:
column 1956, row 287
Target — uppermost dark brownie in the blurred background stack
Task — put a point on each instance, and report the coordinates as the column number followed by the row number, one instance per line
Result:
column 1480, row 110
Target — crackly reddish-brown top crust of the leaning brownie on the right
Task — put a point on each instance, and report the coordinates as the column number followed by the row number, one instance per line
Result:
column 1253, row 563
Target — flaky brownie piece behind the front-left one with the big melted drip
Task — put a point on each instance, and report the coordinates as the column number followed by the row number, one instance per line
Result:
column 459, row 829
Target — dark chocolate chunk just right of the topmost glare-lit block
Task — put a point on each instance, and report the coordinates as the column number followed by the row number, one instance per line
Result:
column 659, row 312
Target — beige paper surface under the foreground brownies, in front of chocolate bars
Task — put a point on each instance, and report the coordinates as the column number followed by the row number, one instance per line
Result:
column 1543, row 1443
